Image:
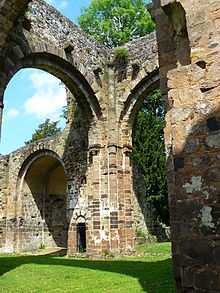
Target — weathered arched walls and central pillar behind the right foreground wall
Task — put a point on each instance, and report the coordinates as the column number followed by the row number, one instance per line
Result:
column 95, row 148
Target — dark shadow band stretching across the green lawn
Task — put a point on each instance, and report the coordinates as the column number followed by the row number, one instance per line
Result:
column 148, row 273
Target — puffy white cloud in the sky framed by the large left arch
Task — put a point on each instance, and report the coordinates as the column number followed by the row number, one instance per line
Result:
column 48, row 98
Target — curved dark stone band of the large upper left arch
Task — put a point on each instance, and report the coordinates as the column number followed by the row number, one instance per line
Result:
column 60, row 68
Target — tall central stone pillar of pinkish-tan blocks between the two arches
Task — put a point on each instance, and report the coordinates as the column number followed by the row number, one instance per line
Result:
column 109, row 188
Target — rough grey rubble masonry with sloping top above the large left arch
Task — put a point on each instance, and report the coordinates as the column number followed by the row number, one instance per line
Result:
column 82, row 50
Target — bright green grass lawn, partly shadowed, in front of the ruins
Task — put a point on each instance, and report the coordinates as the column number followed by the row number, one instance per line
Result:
column 152, row 274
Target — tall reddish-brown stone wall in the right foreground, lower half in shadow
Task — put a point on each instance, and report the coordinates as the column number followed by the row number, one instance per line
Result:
column 188, row 34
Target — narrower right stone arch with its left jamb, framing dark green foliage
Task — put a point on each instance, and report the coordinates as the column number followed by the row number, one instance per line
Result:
column 144, row 217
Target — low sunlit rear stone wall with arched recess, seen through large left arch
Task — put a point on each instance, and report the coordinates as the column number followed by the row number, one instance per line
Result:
column 24, row 204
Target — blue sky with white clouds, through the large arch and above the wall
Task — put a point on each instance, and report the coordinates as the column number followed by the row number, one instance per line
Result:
column 34, row 95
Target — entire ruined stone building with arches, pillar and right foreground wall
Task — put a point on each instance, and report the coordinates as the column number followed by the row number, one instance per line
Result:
column 86, row 173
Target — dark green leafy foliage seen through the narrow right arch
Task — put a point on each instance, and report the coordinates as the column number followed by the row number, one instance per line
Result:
column 149, row 153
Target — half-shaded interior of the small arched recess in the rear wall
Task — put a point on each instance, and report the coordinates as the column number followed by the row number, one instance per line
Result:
column 44, row 205
